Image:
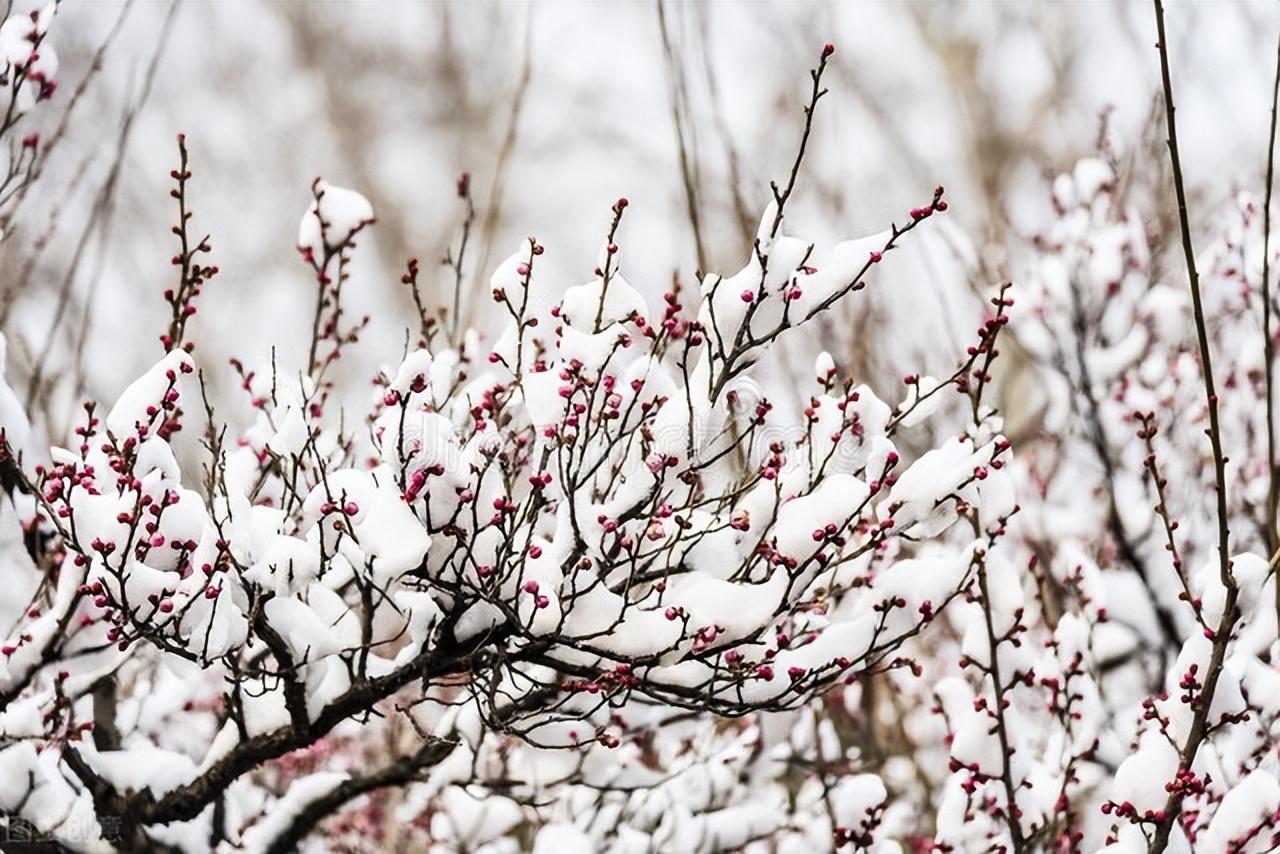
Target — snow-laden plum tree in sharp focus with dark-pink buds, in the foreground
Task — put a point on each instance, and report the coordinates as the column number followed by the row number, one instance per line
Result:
column 524, row 570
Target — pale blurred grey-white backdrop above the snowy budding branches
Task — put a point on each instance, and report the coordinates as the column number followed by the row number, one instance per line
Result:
column 559, row 109
